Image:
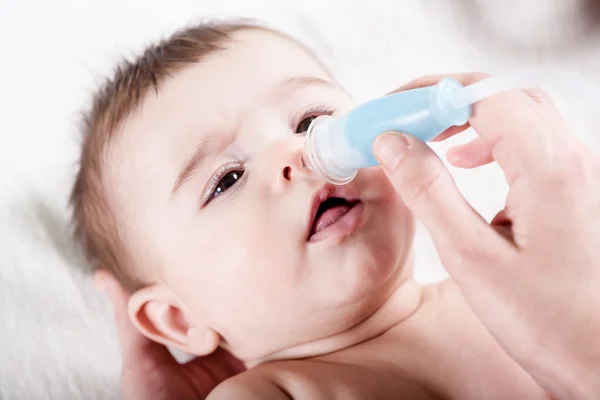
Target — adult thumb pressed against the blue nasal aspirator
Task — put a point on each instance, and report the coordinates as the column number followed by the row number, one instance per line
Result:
column 427, row 188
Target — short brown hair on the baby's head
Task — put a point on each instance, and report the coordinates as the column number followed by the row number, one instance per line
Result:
column 96, row 224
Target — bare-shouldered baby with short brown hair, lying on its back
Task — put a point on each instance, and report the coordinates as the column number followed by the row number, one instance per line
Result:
column 192, row 190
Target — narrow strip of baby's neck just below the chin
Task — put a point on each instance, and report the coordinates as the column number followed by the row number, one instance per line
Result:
column 399, row 307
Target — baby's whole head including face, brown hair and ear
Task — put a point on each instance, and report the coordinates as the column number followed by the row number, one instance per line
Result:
column 192, row 190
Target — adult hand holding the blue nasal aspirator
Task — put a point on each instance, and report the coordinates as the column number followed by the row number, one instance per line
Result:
column 532, row 275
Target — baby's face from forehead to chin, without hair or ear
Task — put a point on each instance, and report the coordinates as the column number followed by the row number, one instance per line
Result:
column 209, row 181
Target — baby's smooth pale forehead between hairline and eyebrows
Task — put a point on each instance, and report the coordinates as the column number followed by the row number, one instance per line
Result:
column 224, row 84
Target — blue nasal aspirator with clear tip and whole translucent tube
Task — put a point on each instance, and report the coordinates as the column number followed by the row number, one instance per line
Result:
column 336, row 148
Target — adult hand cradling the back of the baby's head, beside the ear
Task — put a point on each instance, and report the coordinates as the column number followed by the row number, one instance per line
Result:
column 149, row 371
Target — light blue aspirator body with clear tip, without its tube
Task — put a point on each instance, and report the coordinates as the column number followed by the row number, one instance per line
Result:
column 337, row 148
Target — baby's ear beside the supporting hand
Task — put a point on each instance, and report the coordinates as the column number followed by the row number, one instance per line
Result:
column 157, row 314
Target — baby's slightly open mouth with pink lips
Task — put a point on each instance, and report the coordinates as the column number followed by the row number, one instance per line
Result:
column 329, row 209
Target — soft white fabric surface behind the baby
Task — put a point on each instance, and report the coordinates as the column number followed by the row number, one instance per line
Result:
column 57, row 338
